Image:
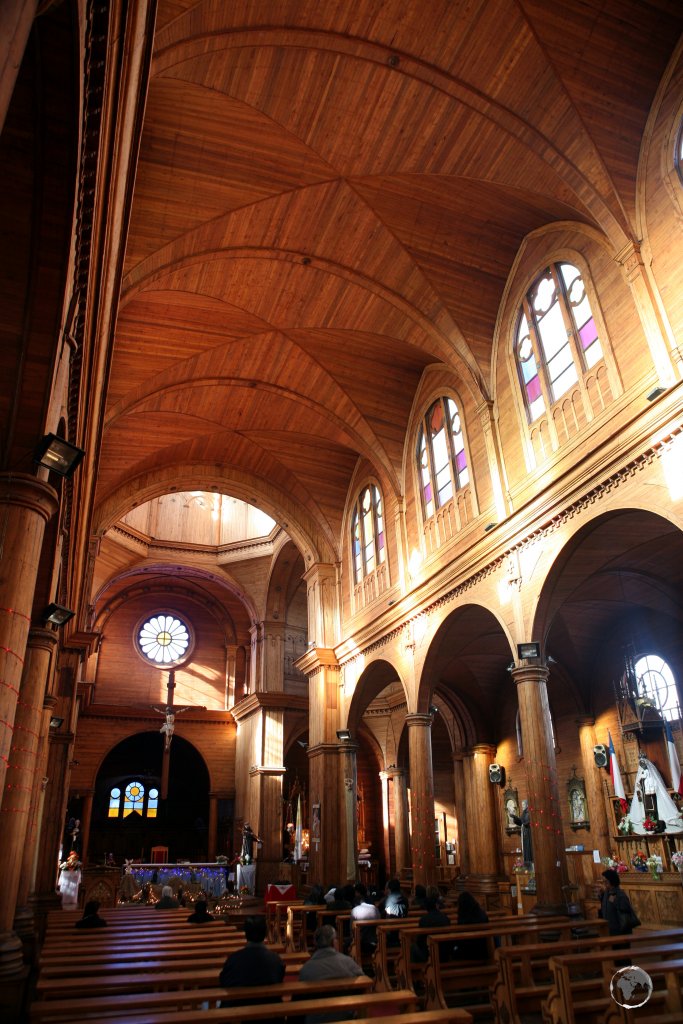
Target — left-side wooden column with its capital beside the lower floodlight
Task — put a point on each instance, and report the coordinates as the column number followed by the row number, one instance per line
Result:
column 20, row 780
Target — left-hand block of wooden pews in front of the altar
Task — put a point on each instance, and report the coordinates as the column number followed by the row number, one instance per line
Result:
column 152, row 967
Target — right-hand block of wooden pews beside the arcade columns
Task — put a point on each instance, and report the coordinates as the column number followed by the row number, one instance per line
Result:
column 551, row 969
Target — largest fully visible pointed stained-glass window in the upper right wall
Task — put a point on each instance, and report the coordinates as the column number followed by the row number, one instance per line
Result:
column 557, row 338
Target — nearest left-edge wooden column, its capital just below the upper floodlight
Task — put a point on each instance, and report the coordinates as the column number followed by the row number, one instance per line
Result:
column 26, row 505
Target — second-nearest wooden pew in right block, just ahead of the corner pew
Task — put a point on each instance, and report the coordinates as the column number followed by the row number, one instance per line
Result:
column 525, row 978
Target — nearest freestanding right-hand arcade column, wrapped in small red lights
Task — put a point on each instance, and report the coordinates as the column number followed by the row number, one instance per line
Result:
column 549, row 860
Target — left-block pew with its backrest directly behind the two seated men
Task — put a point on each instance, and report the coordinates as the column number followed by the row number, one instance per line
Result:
column 86, row 1007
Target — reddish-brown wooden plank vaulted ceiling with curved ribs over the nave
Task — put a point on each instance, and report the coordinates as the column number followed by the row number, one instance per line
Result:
column 330, row 198
